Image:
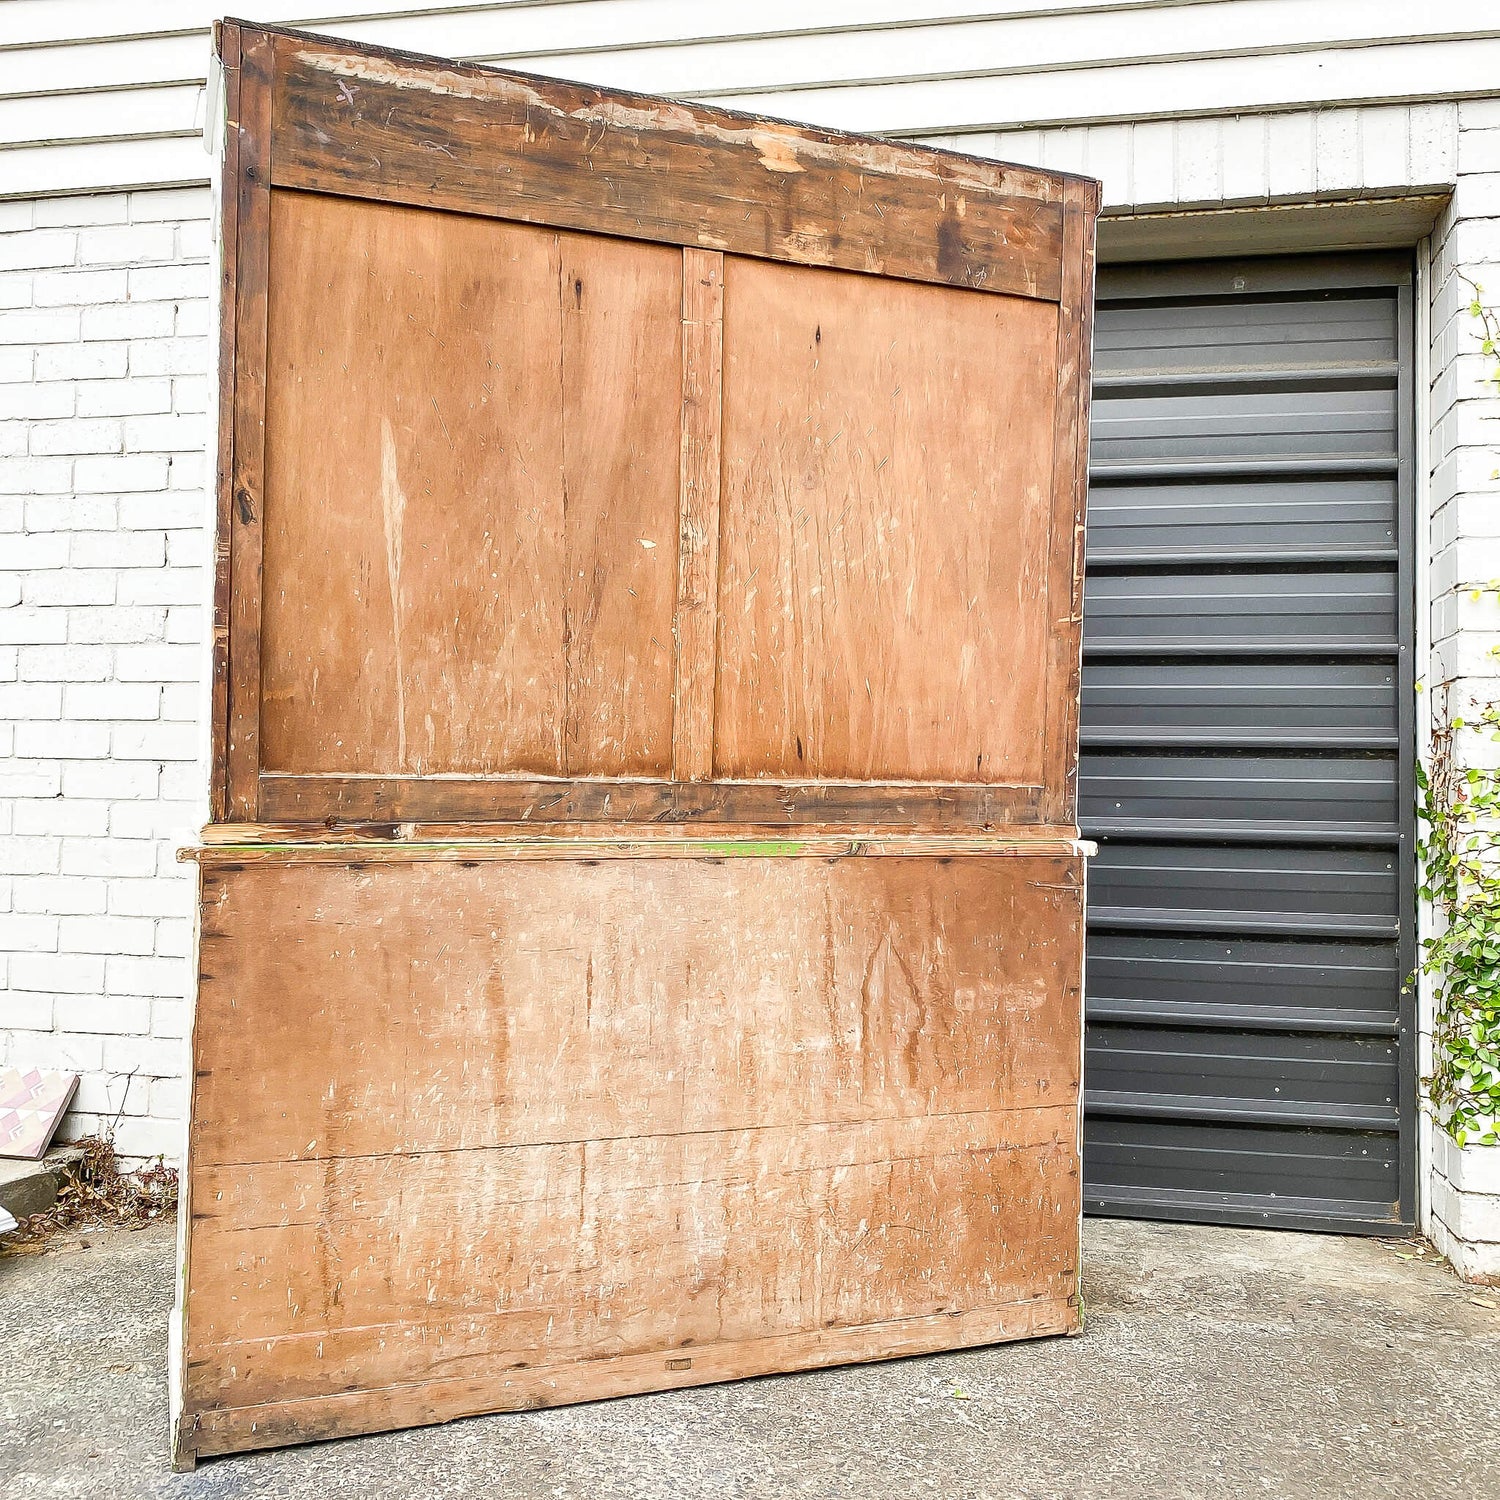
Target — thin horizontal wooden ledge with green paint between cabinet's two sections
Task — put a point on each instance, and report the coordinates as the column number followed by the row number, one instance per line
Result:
column 227, row 844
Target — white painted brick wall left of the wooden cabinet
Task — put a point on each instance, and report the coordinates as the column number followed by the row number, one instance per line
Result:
column 104, row 365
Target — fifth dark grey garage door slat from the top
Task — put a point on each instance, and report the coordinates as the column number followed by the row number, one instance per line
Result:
column 1207, row 701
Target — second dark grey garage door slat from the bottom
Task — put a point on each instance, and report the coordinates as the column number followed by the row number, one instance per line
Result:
column 1246, row 1073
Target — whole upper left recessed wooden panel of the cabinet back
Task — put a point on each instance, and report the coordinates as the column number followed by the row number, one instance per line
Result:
column 472, row 487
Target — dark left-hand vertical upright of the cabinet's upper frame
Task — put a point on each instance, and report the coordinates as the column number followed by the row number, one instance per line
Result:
column 248, row 469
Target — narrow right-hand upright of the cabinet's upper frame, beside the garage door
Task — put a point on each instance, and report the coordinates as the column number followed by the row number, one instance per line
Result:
column 1070, row 487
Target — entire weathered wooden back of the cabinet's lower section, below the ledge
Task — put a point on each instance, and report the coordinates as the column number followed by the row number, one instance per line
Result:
column 515, row 1133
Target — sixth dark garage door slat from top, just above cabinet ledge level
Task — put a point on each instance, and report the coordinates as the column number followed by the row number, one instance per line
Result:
column 1297, row 793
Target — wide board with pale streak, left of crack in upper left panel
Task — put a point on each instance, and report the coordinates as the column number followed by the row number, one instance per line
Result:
column 416, row 368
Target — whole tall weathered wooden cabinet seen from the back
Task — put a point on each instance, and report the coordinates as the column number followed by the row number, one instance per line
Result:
column 641, row 920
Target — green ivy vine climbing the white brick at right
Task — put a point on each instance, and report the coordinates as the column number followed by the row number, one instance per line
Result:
column 1459, row 811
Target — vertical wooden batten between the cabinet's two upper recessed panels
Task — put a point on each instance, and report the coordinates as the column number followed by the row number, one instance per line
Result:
column 695, row 623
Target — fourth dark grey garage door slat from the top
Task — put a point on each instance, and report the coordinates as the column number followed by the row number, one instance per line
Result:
column 1304, row 610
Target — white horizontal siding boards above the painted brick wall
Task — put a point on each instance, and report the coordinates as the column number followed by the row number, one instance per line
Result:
column 89, row 101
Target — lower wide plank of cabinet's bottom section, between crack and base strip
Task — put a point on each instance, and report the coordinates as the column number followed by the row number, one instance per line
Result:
column 394, row 1270
